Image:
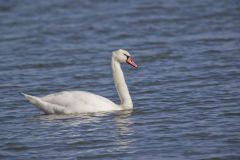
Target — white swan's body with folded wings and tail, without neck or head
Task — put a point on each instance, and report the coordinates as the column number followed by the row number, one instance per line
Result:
column 68, row 102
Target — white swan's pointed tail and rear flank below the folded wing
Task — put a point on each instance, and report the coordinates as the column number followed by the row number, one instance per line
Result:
column 46, row 107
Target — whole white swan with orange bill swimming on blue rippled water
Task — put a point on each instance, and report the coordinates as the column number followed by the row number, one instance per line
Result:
column 68, row 102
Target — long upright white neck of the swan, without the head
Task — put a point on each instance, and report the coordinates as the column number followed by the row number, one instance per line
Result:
column 121, row 86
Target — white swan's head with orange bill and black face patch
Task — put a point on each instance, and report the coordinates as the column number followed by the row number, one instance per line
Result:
column 123, row 56
